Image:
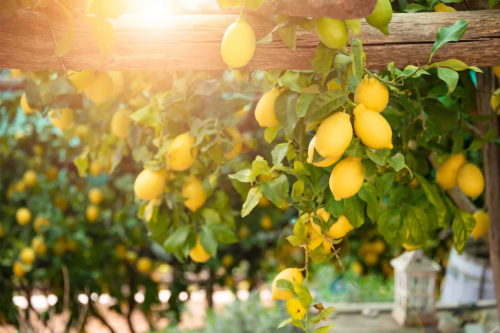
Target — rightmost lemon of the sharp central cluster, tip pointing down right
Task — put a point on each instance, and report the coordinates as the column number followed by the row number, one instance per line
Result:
column 372, row 128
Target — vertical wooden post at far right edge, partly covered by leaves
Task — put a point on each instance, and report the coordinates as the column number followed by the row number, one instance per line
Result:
column 491, row 162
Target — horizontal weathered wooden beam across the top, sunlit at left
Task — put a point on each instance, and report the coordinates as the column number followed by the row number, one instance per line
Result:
column 192, row 42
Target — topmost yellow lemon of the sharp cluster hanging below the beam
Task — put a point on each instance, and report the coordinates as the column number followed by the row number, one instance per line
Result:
column 372, row 93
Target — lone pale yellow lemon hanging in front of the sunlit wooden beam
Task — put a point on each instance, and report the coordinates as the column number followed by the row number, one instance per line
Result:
column 238, row 44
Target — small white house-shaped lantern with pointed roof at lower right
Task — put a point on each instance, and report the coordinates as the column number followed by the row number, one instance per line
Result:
column 414, row 290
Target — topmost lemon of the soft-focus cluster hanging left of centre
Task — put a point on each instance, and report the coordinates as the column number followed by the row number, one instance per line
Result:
column 181, row 154
